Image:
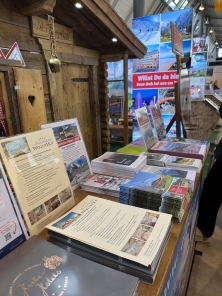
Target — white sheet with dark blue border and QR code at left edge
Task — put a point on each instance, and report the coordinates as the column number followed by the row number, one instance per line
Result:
column 12, row 228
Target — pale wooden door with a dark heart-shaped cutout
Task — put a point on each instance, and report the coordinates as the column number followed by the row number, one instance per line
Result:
column 32, row 113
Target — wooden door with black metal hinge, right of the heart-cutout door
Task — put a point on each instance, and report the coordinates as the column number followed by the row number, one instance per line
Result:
column 74, row 101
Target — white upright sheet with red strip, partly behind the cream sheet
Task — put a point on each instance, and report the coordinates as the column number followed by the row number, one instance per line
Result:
column 72, row 148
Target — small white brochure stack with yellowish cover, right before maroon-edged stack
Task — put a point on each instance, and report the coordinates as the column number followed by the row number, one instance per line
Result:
column 184, row 163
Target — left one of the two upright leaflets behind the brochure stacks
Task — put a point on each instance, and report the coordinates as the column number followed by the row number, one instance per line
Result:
column 145, row 127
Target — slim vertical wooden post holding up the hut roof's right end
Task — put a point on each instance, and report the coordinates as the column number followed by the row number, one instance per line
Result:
column 125, row 73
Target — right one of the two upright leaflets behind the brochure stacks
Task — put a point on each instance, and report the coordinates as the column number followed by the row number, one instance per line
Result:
column 158, row 121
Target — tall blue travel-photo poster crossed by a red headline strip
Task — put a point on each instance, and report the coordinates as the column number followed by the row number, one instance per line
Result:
column 154, row 75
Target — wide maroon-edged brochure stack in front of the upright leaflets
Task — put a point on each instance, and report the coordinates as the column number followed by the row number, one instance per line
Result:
column 181, row 149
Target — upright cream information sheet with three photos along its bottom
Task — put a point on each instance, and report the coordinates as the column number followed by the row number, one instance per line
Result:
column 38, row 176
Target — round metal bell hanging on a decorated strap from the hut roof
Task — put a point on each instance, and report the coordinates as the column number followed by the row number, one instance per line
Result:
column 54, row 62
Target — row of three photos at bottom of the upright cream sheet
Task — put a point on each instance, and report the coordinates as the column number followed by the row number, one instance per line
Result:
column 48, row 206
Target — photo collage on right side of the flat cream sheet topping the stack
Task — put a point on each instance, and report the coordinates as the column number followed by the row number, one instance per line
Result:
column 141, row 235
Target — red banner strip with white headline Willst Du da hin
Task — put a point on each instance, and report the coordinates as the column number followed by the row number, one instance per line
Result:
column 155, row 80
